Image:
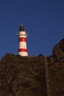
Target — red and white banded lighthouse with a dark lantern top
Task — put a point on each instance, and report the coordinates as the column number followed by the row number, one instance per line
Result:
column 22, row 35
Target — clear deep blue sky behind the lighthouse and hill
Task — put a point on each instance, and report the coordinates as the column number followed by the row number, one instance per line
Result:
column 43, row 20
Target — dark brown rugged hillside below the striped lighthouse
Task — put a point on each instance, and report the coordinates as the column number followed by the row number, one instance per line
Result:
column 33, row 76
